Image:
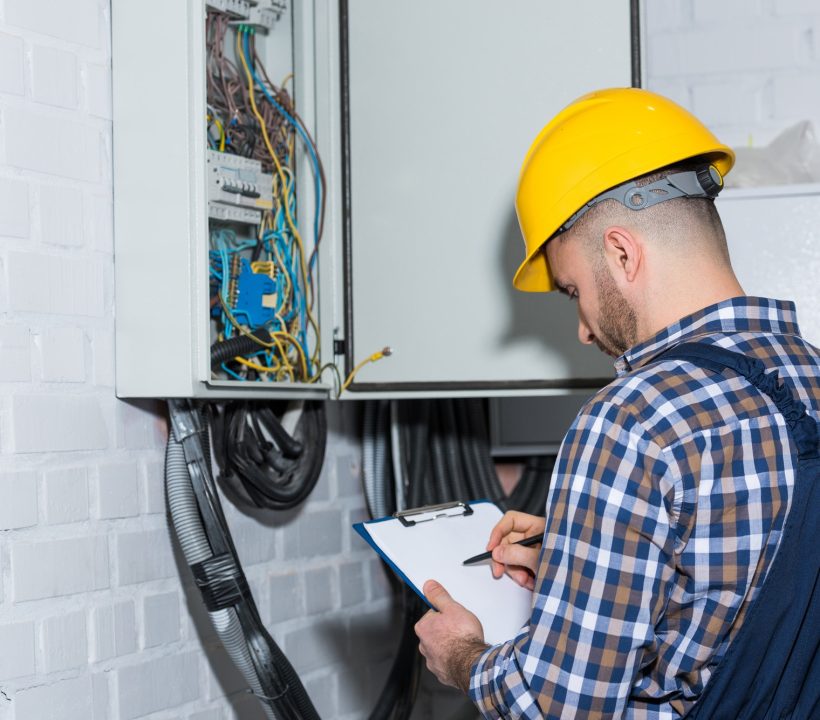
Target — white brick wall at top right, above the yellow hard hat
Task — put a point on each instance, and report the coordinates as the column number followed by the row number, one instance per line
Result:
column 748, row 68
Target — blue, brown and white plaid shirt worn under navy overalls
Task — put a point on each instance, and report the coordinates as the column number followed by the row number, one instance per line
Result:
column 665, row 510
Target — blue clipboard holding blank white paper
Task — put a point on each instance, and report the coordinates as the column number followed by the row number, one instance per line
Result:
column 430, row 543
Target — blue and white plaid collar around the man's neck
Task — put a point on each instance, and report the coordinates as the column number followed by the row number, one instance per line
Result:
column 740, row 314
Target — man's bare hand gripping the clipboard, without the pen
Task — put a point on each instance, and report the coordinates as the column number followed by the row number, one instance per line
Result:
column 451, row 638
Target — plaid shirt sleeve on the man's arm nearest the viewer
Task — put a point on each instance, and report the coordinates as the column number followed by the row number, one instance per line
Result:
column 603, row 578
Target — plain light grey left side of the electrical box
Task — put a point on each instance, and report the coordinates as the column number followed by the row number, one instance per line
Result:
column 152, row 207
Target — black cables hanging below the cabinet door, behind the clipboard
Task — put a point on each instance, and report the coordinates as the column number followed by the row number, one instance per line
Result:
column 424, row 453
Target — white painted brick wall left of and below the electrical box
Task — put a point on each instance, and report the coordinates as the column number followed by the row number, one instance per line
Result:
column 95, row 621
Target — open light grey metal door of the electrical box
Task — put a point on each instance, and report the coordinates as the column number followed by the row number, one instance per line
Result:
column 445, row 99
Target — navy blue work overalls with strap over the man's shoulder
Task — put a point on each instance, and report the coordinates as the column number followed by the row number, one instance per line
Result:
column 771, row 669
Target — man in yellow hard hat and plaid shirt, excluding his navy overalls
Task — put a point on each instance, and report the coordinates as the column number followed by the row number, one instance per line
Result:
column 673, row 483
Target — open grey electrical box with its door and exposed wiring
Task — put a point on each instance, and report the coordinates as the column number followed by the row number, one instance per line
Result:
column 421, row 114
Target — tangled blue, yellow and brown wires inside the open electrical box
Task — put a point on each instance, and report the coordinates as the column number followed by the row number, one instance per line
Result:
column 250, row 116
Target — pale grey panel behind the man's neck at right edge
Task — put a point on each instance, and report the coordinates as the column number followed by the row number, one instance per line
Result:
column 774, row 241
